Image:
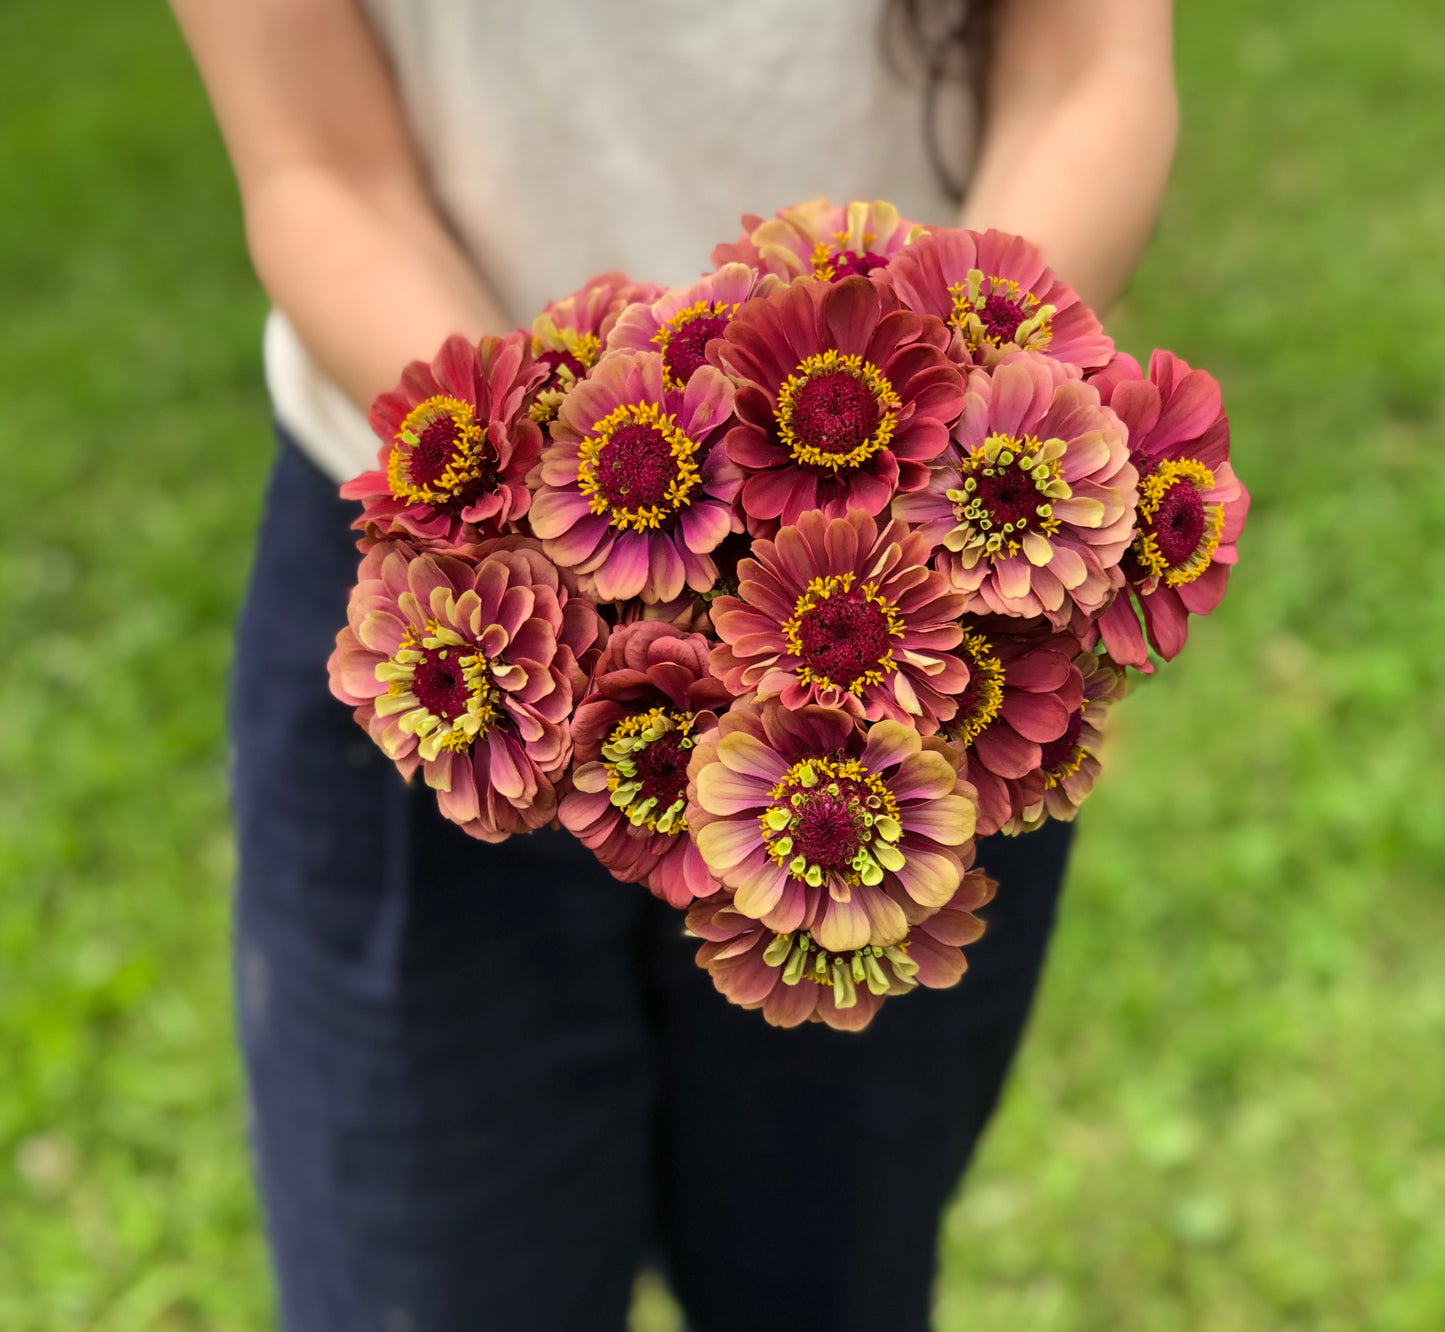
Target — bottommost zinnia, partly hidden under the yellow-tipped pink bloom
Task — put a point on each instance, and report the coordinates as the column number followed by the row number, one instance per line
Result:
column 794, row 980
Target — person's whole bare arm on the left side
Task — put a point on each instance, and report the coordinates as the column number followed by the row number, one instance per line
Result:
column 339, row 219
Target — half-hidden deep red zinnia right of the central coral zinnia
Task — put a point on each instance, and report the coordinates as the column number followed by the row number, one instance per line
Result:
column 1022, row 694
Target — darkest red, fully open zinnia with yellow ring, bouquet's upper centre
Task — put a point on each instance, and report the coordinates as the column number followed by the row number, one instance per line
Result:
column 843, row 399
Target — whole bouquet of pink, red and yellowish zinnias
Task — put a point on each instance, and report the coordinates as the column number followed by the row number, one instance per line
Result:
column 780, row 590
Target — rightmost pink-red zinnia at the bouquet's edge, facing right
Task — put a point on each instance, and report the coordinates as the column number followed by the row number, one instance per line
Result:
column 1191, row 505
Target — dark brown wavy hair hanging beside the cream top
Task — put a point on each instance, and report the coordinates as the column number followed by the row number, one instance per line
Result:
column 943, row 43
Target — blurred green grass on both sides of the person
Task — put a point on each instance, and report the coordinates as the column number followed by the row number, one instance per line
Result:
column 1232, row 1109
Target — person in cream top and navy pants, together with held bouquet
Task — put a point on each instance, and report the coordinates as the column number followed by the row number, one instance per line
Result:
column 488, row 1078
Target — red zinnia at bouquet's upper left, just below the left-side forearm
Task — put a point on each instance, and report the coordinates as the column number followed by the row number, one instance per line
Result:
column 457, row 446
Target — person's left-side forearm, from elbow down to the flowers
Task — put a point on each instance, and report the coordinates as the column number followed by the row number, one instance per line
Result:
column 369, row 281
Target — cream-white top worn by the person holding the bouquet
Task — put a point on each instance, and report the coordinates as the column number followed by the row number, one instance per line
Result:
column 573, row 138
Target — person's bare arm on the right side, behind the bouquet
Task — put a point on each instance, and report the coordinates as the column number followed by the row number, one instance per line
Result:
column 1079, row 134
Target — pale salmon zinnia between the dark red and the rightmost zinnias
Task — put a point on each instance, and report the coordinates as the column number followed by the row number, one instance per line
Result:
column 1038, row 508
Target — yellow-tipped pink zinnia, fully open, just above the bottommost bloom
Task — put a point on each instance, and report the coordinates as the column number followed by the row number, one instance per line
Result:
column 819, row 826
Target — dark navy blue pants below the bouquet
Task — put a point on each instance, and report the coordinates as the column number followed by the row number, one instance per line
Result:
column 488, row 1081
